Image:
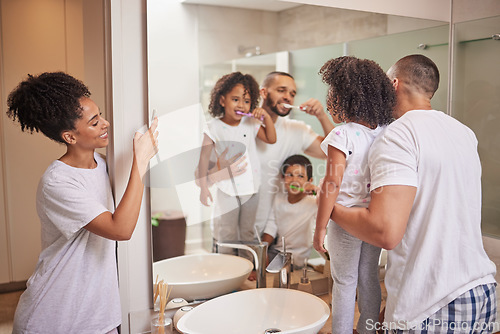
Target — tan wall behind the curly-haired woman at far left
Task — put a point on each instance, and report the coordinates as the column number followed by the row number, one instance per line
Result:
column 38, row 36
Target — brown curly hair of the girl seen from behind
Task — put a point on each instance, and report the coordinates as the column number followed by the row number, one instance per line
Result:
column 359, row 91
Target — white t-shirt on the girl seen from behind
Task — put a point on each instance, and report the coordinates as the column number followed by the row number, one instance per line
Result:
column 354, row 140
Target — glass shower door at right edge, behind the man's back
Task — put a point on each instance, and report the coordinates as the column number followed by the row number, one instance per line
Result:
column 476, row 103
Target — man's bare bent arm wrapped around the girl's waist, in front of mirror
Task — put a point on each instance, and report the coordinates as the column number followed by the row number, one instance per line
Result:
column 383, row 223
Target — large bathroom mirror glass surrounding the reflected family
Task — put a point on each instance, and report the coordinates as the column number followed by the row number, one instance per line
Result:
column 191, row 45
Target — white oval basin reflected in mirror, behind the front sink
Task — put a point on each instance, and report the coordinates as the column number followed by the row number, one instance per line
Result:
column 202, row 276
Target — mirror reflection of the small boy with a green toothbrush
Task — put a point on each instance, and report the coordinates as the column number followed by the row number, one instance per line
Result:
column 294, row 212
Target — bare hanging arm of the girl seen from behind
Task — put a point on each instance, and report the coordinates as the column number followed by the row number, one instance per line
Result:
column 335, row 166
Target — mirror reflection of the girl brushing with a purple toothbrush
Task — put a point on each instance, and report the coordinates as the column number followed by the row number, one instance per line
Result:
column 233, row 131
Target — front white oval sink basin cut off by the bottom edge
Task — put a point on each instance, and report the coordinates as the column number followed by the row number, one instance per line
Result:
column 255, row 311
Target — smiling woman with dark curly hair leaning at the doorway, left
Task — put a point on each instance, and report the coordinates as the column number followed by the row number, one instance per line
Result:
column 74, row 288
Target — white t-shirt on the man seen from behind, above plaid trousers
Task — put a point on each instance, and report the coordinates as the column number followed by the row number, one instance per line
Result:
column 441, row 255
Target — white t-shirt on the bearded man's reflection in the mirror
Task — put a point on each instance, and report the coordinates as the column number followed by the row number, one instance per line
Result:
column 293, row 137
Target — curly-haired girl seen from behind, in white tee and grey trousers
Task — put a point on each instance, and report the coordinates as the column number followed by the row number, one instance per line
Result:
column 361, row 95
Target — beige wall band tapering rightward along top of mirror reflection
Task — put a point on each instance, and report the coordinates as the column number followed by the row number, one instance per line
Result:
column 223, row 29
